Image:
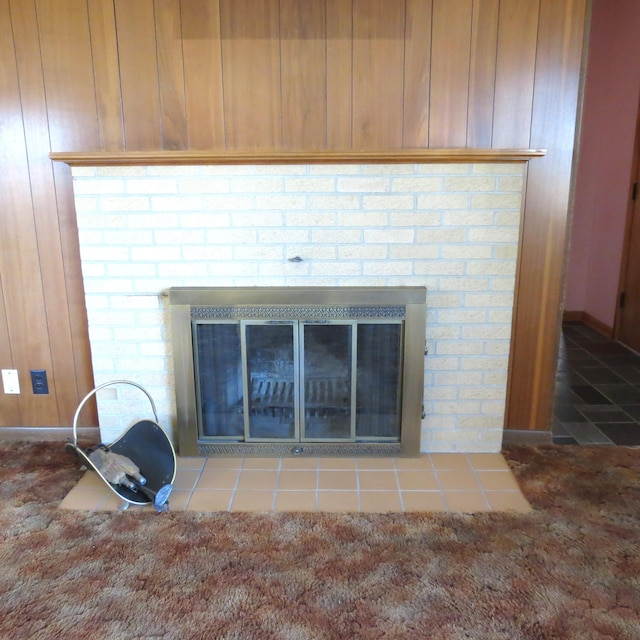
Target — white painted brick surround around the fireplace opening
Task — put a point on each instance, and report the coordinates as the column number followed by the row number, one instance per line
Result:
column 453, row 228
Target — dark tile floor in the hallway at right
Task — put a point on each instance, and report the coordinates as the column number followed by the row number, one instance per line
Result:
column 597, row 397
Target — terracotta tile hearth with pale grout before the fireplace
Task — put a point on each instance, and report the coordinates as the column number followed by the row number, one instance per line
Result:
column 432, row 482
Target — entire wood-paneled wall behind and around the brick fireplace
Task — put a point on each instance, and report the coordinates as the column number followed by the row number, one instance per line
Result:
column 242, row 75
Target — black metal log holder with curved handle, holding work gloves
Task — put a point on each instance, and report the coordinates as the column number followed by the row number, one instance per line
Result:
column 140, row 466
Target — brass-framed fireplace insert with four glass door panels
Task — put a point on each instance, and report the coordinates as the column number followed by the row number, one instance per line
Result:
column 299, row 371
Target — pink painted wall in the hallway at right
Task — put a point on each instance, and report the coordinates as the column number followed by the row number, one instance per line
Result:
column 611, row 100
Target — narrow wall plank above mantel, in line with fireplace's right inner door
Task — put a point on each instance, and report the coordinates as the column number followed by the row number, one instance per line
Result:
column 339, row 73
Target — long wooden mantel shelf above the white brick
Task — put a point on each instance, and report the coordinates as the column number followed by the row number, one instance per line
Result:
column 392, row 156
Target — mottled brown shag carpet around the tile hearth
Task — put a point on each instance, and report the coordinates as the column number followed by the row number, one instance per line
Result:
column 570, row 569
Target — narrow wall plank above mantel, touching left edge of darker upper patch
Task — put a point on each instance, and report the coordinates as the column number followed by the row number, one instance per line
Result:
column 173, row 110
